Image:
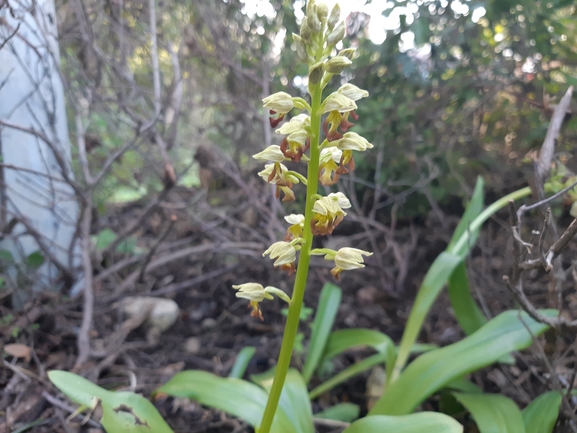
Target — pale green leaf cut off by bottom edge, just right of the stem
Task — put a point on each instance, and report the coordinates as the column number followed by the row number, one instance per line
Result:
column 429, row 422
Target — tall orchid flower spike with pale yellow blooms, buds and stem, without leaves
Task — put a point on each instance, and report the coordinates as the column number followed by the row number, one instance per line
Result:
column 328, row 159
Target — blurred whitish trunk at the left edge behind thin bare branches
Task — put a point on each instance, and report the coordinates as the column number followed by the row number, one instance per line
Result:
column 39, row 210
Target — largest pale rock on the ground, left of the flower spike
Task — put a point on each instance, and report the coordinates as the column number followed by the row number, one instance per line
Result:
column 163, row 312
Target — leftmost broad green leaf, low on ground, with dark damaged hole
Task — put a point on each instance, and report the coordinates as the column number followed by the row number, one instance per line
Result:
column 121, row 411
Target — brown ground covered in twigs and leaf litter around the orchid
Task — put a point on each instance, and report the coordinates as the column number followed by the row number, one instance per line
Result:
column 226, row 232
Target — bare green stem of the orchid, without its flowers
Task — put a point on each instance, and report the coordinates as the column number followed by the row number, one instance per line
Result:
column 292, row 323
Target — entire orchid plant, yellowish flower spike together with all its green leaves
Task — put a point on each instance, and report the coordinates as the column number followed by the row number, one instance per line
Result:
column 319, row 136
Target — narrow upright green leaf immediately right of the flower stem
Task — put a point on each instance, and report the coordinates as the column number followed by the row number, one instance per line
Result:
column 329, row 303
